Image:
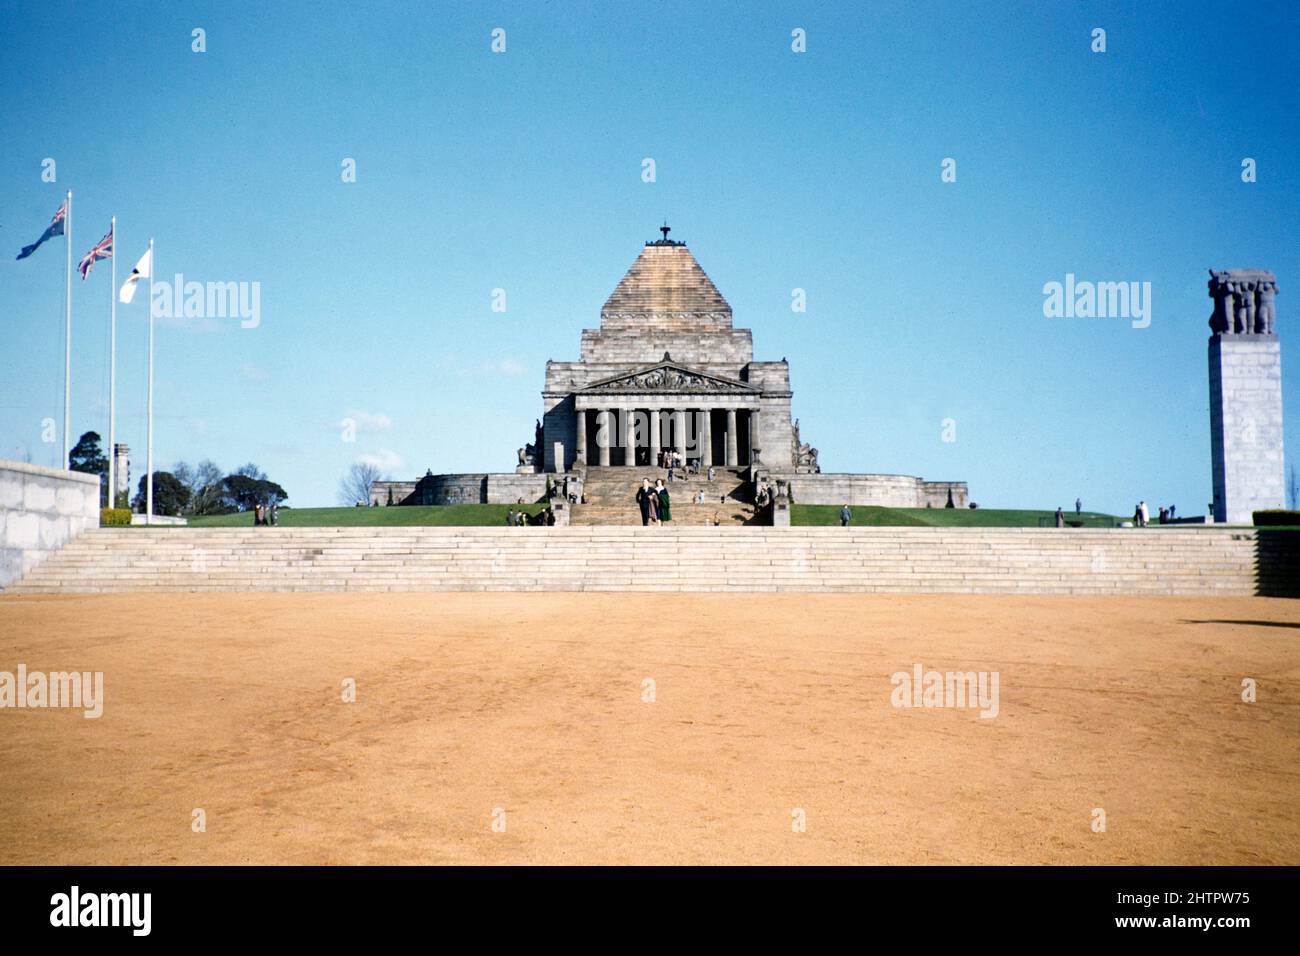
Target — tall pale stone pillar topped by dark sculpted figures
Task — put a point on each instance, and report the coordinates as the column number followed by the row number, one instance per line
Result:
column 1246, row 396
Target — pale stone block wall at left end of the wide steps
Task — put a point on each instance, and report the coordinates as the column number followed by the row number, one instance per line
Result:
column 41, row 511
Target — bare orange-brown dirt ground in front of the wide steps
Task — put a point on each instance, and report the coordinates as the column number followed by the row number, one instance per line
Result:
column 765, row 706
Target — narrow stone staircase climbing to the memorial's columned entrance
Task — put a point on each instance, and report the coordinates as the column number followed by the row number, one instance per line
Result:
column 612, row 499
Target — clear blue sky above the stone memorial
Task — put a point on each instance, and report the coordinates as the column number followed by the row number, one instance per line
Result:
column 522, row 171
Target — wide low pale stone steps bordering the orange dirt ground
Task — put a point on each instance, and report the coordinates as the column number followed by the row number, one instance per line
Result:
column 1150, row 561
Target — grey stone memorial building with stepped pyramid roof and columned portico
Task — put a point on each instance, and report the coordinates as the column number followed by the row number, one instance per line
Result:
column 669, row 371
